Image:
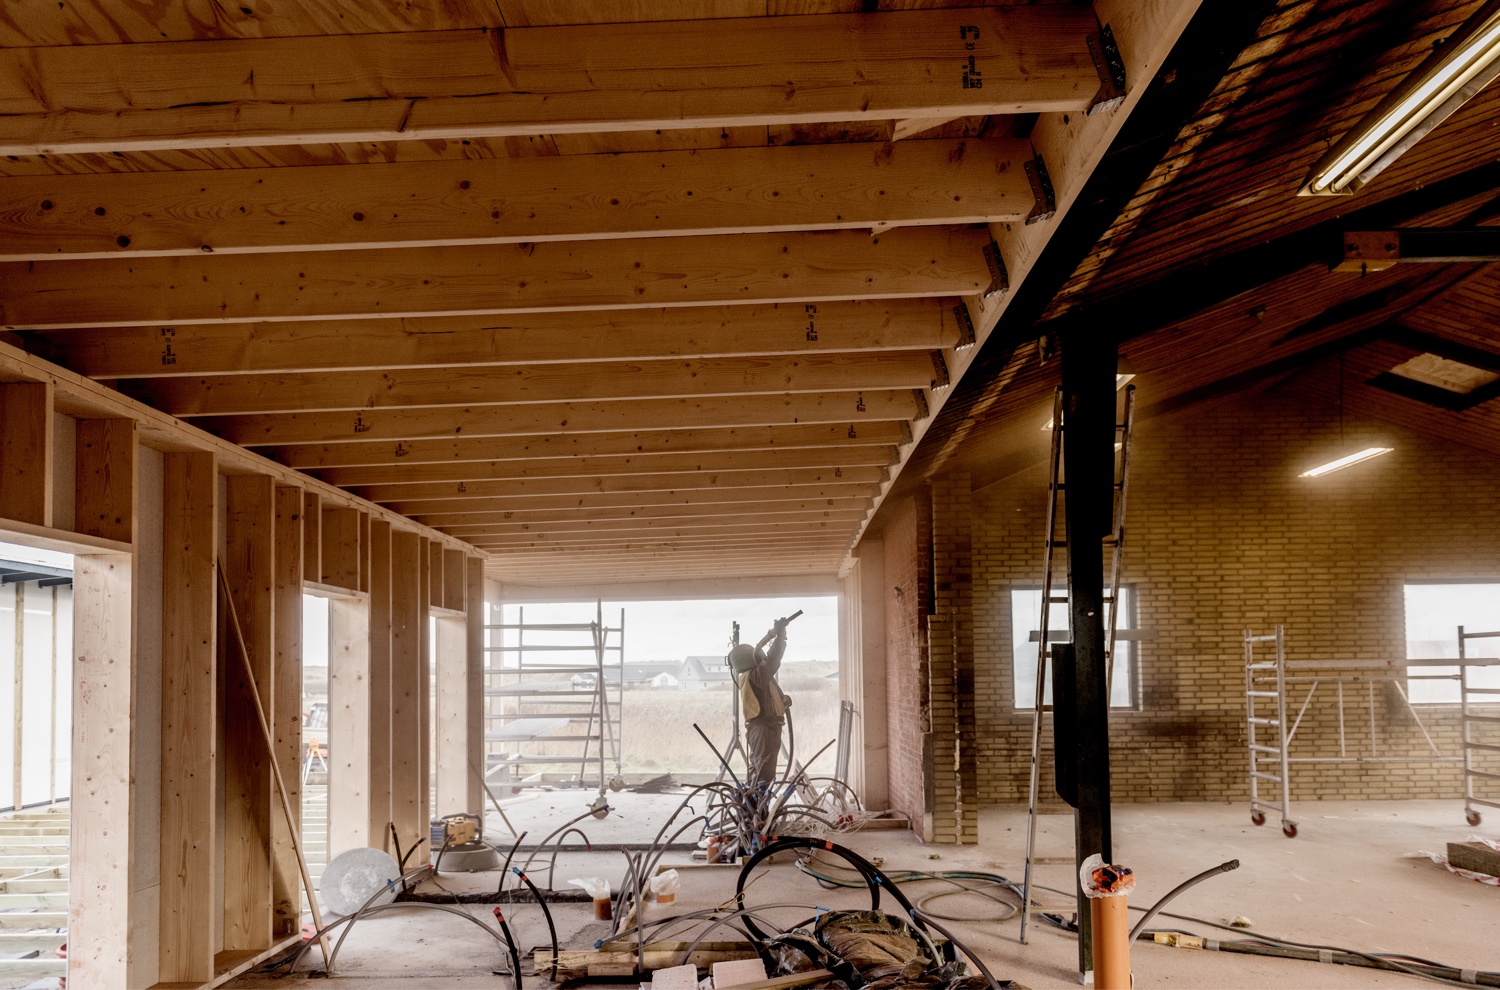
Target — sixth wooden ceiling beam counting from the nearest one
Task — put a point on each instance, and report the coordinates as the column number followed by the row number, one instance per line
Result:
column 553, row 419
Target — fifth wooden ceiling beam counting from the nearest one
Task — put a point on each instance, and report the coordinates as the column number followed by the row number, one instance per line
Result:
column 253, row 395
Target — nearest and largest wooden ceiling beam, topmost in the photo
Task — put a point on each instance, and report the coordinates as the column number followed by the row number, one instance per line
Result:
column 425, row 86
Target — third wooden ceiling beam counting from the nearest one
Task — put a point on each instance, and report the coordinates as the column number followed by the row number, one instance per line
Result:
column 800, row 268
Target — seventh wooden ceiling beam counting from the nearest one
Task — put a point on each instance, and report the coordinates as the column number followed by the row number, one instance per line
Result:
column 796, row 437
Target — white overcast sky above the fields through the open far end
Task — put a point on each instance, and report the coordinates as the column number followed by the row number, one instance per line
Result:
column 671, row 631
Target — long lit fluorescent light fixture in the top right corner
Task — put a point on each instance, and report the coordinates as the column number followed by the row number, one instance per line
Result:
column 1447, row 80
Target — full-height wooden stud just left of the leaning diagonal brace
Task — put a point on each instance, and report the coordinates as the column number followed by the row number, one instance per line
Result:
column 190, row 715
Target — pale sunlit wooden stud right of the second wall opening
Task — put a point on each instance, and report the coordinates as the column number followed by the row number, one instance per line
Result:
column 350, row 812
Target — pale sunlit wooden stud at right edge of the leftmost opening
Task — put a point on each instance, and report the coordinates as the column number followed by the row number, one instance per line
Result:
column 103, row 922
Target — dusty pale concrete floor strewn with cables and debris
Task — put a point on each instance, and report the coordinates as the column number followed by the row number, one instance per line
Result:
column 1342, row 883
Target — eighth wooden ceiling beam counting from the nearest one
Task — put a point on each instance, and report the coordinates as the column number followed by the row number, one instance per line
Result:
column 619, row 466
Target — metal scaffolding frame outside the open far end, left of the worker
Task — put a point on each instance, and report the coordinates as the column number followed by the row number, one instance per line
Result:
column 518, row 716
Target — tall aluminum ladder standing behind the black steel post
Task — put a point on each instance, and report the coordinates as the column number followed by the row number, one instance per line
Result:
column 1057, row 541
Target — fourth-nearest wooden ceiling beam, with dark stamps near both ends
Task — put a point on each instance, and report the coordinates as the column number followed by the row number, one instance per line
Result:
column 694, row 332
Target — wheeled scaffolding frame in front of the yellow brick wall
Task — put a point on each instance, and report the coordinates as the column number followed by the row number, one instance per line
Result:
column 1273, row 682
